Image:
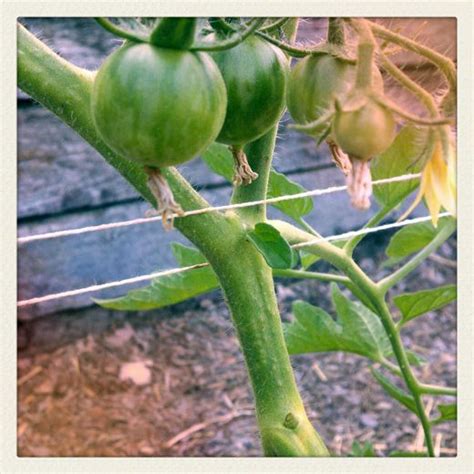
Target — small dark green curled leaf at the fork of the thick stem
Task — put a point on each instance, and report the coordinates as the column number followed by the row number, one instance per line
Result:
column 276, row 251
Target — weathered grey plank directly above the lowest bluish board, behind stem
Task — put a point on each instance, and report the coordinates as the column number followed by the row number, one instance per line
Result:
column 58, row 171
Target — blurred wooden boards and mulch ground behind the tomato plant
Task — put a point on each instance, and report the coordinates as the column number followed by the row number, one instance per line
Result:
column 75, row 398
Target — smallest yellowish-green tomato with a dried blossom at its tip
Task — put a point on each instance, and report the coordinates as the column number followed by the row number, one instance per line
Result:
column 365, row 132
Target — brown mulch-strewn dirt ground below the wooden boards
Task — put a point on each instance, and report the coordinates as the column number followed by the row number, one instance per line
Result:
column 172, row 382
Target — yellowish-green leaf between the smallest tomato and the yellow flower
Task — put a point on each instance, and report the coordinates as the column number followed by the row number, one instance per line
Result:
column 401, row 158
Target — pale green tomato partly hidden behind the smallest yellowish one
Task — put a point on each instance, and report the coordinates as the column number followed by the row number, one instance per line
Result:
column 316, row 81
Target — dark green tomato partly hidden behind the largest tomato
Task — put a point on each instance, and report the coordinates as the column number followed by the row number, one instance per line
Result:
column 255, row 74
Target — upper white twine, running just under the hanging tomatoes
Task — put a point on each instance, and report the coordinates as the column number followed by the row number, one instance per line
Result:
column 146, row 220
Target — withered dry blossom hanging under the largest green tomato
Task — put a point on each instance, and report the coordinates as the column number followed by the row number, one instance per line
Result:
column 168, row 208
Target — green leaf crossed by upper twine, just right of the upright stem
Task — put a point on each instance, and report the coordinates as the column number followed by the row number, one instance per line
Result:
column 280, row 185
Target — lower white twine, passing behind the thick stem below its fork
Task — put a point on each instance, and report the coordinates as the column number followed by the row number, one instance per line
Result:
column 128, row 281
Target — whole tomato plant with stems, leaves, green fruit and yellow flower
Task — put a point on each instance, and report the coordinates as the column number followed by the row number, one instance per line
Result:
column 161, row 99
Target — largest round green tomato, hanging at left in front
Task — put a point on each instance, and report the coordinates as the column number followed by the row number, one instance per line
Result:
column 158, row 106
